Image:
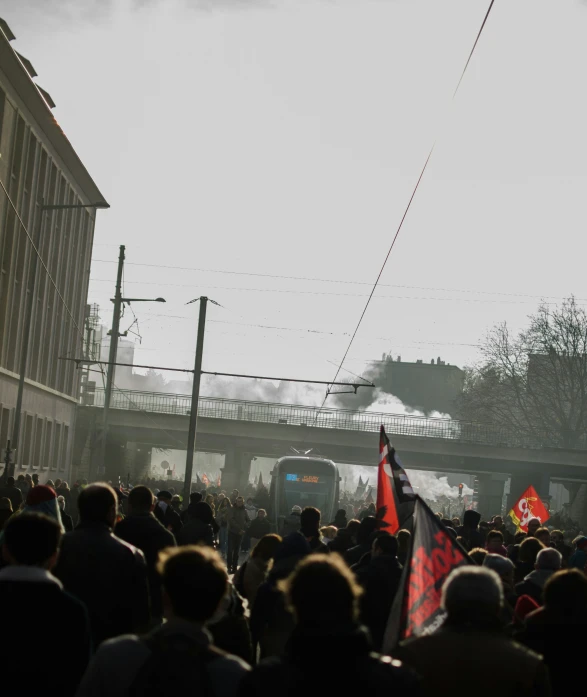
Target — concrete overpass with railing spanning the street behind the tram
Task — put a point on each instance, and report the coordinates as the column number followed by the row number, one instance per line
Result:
column 242, row 429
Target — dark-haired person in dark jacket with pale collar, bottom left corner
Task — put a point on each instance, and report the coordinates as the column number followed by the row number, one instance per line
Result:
column 37, row 613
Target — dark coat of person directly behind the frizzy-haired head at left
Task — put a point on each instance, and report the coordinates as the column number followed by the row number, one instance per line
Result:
column 146, row 533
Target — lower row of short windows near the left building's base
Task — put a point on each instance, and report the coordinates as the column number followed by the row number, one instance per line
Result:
column 44, row 442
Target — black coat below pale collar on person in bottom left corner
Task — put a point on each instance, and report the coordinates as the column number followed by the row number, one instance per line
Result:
column 46, row 637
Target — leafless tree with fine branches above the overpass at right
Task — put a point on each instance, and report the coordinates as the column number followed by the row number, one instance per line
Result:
column 534, row 382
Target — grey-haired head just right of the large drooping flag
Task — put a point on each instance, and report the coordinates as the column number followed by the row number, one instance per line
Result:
column 472, row 595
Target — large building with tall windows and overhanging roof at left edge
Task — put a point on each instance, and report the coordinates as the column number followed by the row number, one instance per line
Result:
column 39, row 168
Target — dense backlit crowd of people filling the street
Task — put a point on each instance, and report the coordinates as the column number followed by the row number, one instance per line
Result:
column 140, row 595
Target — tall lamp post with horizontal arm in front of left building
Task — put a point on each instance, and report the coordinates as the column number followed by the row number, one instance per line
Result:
column 24, row 351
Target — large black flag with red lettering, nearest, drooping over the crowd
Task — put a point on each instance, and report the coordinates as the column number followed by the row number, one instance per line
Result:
column 434, row 554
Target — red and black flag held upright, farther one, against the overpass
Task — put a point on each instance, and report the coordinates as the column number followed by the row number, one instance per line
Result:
column 395, row 496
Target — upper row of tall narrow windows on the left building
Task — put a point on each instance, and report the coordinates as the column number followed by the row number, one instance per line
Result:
column 64, row 242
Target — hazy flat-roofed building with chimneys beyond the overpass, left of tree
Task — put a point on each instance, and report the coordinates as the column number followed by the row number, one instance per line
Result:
column 434, row 386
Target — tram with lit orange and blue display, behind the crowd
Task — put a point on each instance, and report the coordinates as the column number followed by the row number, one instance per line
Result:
column 299, row 480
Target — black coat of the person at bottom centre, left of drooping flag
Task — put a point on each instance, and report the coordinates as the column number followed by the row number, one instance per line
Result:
column 336, row 663
